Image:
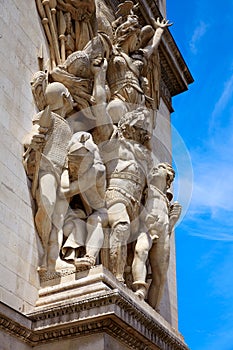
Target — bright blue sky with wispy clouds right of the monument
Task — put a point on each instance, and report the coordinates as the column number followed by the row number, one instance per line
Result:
column 203, row 118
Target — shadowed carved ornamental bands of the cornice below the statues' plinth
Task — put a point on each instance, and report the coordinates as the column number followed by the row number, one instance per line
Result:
column 157, row 336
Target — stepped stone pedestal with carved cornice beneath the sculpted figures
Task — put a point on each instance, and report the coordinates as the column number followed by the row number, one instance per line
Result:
column 90, row 310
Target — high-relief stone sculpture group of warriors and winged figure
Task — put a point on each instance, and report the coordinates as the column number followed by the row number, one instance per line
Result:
column 96, row 188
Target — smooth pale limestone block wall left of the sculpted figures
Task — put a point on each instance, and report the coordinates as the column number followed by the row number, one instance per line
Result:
column 21, row 36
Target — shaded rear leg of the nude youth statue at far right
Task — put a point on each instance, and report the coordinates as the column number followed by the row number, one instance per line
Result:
column 159, row 261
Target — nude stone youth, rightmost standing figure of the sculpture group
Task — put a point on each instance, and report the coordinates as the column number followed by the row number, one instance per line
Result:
column 158, row 219
